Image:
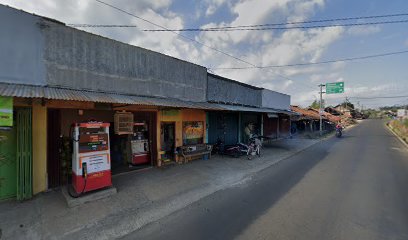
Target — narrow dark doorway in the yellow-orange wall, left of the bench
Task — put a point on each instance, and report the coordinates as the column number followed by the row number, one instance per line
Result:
column 167, row 141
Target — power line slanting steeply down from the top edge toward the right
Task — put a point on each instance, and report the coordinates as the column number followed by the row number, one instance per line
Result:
column 188, row 38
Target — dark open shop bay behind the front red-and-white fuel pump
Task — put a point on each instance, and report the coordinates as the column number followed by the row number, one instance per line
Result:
column 133, row 149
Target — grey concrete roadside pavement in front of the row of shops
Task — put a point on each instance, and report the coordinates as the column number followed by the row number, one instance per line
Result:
column 143, row 197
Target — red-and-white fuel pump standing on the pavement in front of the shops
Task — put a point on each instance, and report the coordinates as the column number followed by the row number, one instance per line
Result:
column 91, row 167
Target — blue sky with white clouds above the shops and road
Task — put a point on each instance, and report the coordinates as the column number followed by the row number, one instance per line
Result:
column 386, row 76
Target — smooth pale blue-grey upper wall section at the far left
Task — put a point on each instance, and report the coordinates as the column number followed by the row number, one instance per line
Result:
column 21, row 48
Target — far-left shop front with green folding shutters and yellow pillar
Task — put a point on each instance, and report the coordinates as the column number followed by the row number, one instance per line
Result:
column 22, row 144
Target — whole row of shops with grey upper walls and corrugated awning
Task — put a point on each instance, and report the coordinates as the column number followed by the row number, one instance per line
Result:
column 154, row 104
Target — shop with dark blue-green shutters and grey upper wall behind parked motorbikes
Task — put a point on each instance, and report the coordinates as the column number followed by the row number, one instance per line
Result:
column 251, row 111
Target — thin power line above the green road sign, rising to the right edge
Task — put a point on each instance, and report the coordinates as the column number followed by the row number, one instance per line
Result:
column 322, row 62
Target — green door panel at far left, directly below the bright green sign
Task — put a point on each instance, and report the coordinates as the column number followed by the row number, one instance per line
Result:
column 8, row 170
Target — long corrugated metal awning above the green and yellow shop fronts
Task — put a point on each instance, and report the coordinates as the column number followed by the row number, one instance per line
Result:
column 30, row 91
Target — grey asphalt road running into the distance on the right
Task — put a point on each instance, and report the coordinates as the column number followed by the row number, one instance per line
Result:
column 355, row 187
